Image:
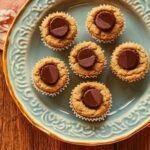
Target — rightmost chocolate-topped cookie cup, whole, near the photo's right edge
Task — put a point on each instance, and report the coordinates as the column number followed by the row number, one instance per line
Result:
column 130, row 62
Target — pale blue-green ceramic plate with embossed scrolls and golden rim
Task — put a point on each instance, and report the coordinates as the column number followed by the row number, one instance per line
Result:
column 131, row 102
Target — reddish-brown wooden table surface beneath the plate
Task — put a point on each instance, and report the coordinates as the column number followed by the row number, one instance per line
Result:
column 16, row 133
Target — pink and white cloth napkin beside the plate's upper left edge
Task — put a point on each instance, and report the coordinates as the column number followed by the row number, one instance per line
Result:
column 8, row 10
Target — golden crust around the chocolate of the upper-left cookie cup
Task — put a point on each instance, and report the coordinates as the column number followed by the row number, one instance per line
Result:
column 56, row 42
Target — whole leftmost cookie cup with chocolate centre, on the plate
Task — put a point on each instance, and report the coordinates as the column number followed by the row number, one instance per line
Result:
column 50, row 76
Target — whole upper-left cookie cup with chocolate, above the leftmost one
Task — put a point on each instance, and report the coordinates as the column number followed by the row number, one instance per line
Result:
column 58, row 30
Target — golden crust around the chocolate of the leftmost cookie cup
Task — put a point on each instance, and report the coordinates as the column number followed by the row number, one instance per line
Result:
column 63, row 72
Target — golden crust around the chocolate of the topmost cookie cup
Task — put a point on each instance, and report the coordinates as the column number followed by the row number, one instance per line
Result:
column 99, row 34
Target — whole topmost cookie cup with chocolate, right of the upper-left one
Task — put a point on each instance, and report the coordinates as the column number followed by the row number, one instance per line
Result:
column 105, row 23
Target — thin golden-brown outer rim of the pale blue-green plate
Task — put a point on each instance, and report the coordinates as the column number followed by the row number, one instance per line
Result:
column 34, row 122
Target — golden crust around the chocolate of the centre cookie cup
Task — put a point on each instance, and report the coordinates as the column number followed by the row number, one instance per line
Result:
column 97, row 68
